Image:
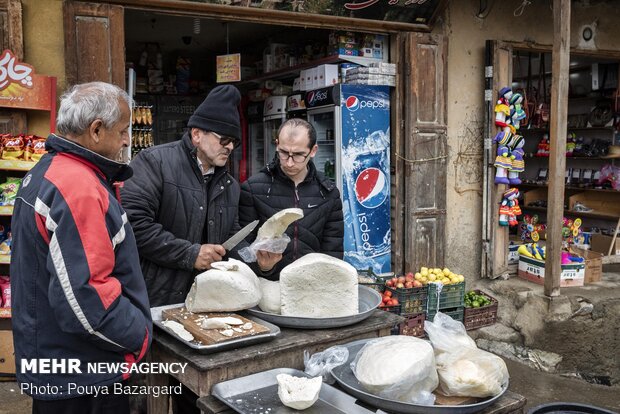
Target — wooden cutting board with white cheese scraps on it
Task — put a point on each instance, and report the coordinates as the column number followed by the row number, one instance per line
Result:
column 192, row 322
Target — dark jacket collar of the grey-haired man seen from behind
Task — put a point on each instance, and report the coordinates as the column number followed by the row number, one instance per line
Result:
column 110, row 169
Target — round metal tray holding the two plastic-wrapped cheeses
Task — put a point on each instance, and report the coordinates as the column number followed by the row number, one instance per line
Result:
column 347, row 381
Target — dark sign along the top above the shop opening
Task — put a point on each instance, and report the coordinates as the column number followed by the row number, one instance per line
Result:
column 402, row 11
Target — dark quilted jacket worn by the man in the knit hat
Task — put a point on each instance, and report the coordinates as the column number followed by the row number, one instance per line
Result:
column 168, row 203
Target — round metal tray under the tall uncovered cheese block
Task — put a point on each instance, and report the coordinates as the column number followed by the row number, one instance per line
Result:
column 369, row 299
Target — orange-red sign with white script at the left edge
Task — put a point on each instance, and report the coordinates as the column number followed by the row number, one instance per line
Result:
column 21, row 88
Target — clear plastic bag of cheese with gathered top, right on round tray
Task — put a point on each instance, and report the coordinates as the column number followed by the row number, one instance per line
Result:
column 464, row 370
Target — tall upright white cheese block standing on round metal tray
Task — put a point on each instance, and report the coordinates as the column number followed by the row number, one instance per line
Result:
column 319, row 286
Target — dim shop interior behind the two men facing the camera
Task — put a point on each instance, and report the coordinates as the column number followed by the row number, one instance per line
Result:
column 174, row 59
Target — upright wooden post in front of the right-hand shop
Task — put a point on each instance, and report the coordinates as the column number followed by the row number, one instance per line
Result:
column 557, row 156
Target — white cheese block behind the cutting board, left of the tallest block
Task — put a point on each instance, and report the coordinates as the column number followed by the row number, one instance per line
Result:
column 228, row 286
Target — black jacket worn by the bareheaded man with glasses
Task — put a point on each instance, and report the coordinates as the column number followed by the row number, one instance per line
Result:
column 320, row 230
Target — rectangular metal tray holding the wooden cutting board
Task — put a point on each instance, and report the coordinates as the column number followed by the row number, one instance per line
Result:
column 156, row 314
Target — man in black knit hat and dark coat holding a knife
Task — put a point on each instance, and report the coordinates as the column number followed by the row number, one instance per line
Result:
column 182, row 203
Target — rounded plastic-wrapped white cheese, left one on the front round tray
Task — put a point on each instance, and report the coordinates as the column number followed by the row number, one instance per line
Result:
column 407, row 358
